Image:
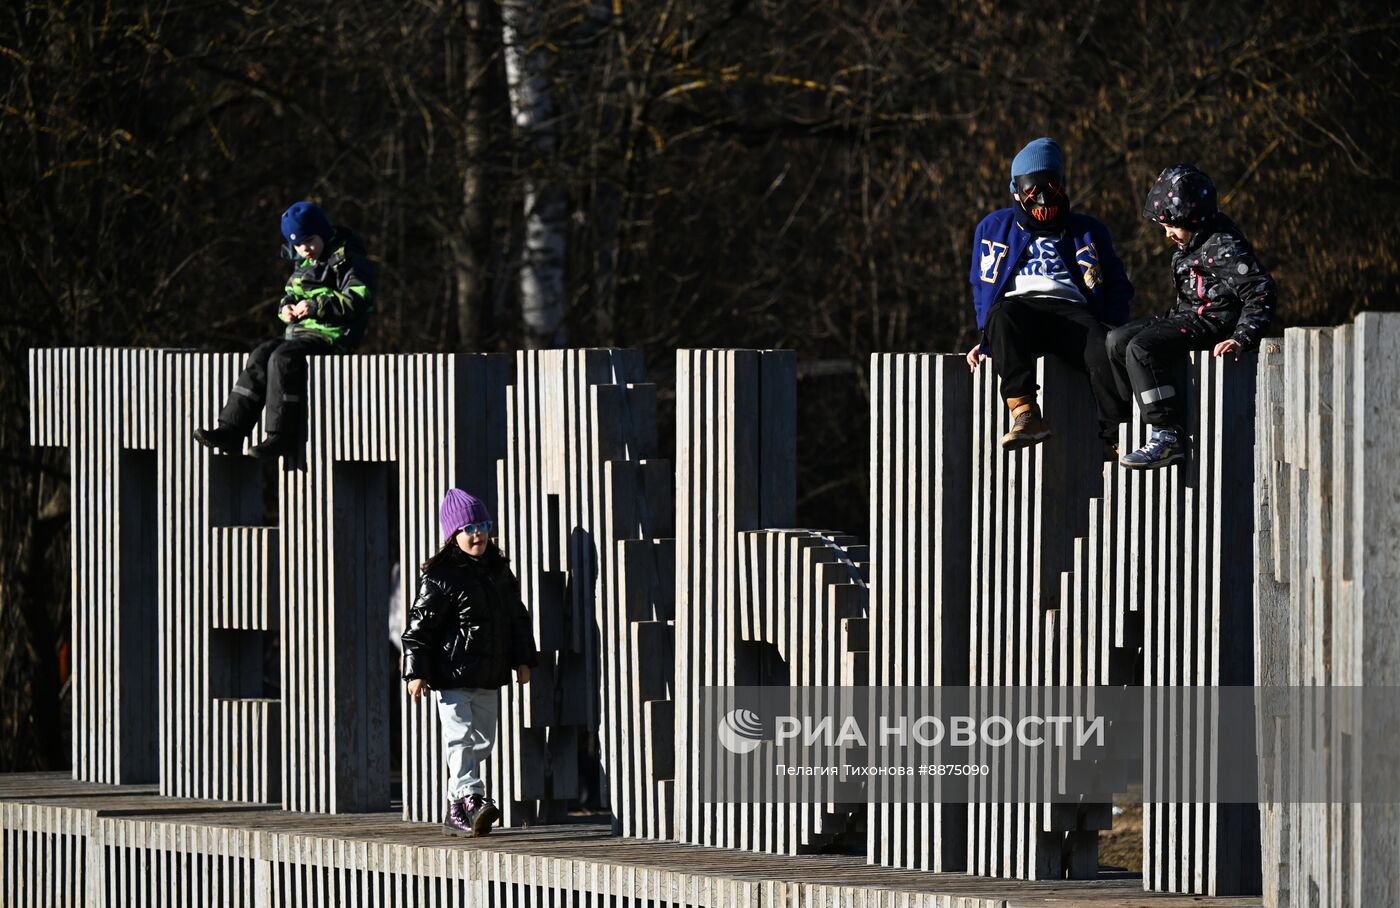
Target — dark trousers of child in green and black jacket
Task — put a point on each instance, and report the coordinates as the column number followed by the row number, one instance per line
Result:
column 276, row 376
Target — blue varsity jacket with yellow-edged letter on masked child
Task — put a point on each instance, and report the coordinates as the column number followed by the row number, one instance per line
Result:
column 1087, row 250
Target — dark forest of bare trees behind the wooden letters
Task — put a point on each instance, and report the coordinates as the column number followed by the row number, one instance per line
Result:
column 652, row 174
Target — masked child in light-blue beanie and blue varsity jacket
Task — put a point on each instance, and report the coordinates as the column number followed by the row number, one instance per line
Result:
column 1046, row 281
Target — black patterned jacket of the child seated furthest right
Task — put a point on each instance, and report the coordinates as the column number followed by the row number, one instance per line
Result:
column 1219, row 278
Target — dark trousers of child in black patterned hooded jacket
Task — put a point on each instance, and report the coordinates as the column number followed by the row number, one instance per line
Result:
column 1150, row 359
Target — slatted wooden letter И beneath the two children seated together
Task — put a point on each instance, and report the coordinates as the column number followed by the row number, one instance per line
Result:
column 1093, row 576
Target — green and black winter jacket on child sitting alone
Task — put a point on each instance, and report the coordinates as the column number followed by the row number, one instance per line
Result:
column 339, row 290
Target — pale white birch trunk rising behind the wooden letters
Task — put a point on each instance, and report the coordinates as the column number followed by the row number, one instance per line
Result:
column 547, row 208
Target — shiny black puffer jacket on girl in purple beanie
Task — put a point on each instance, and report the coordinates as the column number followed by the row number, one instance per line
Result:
column 468, row 626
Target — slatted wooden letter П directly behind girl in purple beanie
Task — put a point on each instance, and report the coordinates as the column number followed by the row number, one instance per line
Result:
column 388, row 434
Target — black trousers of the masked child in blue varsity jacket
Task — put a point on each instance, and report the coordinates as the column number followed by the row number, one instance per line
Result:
column 1024, row 328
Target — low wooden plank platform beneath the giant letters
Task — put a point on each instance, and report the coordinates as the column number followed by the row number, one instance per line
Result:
column 569, row 864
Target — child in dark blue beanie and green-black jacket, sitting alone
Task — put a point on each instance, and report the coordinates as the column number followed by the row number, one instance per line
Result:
column 325, row 307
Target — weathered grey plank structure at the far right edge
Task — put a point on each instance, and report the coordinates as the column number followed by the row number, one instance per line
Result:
column 1326, row 604
